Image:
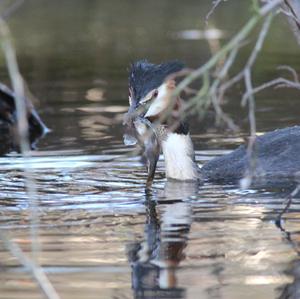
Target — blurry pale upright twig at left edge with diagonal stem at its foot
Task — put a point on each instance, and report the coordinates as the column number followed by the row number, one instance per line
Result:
column 22, row 125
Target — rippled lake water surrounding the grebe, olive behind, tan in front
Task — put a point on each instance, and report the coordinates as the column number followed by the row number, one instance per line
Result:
column 101, row 235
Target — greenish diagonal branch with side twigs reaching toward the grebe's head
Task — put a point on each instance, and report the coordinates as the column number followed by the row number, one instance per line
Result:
column 212, row 93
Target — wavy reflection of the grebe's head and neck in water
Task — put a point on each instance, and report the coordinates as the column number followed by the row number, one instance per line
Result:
column 156, row 259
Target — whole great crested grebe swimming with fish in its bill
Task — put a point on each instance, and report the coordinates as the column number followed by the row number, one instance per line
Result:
column 150, row 94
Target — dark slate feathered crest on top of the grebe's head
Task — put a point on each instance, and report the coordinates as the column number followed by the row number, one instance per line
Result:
column 145, row 76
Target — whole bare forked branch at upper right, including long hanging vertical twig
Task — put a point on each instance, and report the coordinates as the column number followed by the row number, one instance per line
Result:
column 214, row 87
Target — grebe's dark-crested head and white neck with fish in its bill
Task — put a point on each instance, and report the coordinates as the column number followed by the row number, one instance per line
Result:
column 151, row 92
